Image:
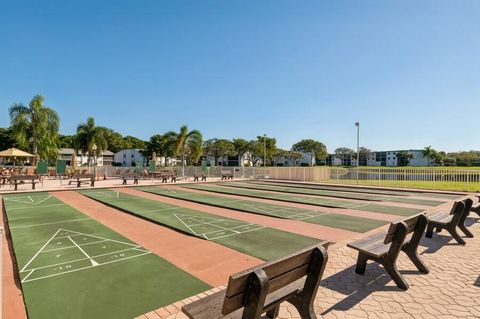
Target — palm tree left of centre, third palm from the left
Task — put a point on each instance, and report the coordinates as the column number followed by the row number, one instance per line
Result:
column 186, row 140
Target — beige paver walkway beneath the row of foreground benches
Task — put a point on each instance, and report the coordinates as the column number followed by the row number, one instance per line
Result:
column 450, row 290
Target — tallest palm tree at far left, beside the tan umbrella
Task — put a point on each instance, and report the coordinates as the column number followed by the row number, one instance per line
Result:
column 36, row 127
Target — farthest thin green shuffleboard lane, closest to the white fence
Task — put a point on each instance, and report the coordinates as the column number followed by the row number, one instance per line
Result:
column 363, row 190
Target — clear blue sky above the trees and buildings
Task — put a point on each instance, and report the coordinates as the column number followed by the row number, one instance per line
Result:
column 409, row 71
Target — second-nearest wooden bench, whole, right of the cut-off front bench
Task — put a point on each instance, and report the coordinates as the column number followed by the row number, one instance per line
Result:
column 385, row 247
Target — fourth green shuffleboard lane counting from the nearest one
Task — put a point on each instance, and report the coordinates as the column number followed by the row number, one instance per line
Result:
column 375, row 208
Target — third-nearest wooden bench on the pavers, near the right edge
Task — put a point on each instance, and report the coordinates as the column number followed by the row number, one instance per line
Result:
column 450, row 221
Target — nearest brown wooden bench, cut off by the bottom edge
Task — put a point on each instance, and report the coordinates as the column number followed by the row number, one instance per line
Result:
column 294, row 278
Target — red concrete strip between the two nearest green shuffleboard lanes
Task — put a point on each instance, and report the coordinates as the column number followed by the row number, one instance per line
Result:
column 208, row 261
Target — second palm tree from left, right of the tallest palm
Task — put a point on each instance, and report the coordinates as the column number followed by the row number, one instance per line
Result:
column 89, row 135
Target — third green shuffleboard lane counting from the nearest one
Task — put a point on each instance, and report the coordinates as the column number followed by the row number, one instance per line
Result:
column 351, row 223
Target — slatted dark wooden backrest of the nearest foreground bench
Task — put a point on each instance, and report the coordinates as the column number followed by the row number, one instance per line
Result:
column 249, row 288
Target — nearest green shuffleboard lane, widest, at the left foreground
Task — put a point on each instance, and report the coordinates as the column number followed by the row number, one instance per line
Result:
column 71, row 266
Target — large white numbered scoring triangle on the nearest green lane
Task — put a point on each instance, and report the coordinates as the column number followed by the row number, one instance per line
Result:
column 67, row 268
